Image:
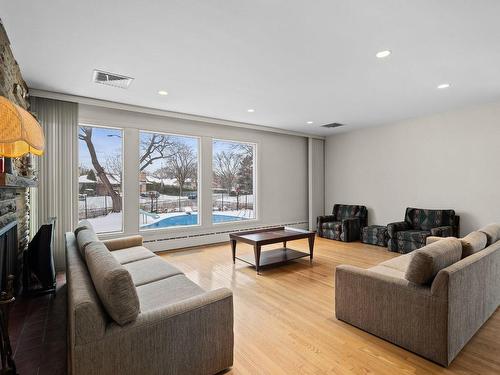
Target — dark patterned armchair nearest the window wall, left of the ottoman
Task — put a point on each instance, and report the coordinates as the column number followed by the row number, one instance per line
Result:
column 344, row 224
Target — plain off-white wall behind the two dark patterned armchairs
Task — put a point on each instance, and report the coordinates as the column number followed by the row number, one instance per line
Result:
column 448, row 160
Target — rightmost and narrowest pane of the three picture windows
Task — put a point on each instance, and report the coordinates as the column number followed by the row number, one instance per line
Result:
column 233, row 181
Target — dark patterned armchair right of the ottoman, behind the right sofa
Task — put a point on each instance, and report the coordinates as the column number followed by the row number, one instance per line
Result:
column 411, row 234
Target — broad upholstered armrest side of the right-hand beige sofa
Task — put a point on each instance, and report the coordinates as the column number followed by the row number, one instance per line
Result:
column 393, row 309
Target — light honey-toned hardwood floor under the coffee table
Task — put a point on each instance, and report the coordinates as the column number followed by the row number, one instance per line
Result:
column 284, row 319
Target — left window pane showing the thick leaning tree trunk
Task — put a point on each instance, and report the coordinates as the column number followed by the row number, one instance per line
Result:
column 100, row 177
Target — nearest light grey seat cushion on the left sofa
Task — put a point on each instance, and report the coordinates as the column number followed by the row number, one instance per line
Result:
column 156, row 295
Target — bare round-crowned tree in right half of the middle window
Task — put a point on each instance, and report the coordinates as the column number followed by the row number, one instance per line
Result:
column 182, row 166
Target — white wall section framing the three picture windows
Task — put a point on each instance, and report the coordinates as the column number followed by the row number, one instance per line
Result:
column 282, row 174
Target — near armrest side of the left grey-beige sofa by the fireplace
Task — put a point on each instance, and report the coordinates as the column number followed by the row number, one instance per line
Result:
column 196, row 333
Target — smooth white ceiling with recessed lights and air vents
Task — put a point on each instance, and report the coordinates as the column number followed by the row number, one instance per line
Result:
column 292, row 61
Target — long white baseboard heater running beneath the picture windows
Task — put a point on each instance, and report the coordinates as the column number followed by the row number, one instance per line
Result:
column 196, row 239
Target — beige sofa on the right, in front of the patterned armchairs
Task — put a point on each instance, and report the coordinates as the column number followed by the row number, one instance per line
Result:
column 431, row 301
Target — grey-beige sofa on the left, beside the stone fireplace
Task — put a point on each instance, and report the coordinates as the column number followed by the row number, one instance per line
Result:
column 130, row 312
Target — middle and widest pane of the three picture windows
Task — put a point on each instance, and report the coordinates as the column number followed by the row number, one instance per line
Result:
column 168, row 181
